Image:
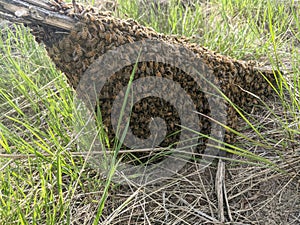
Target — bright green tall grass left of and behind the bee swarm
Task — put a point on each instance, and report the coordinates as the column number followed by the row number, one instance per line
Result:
column 41, row 177
